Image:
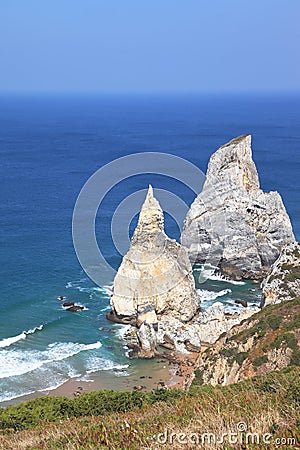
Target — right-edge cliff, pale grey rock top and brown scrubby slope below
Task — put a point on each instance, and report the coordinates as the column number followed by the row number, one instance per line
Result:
column 270, row 339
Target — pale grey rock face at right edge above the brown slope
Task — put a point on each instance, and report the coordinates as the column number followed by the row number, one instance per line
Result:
column 283, row 282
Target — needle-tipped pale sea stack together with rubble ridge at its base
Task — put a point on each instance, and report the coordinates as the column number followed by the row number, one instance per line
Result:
column 154, row 290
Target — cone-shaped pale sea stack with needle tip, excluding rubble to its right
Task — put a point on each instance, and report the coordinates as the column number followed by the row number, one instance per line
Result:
column 154, row 280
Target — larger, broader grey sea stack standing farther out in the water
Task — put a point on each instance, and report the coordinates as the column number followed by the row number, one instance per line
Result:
column 232, row 223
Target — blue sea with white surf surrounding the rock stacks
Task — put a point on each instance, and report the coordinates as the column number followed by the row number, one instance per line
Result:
column 49, row 147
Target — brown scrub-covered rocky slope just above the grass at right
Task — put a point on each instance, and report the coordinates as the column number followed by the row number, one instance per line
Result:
column 269, row 340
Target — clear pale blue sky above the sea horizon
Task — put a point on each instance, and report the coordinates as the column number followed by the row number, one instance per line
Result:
column 148, row 46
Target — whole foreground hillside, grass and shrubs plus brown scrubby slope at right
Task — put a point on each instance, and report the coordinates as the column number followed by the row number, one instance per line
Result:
column 266, row 405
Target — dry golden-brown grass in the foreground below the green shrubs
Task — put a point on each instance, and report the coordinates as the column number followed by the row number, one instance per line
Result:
column 208, row 410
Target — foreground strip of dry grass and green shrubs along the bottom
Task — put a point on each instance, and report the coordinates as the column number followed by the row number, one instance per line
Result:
column 267, row 406
